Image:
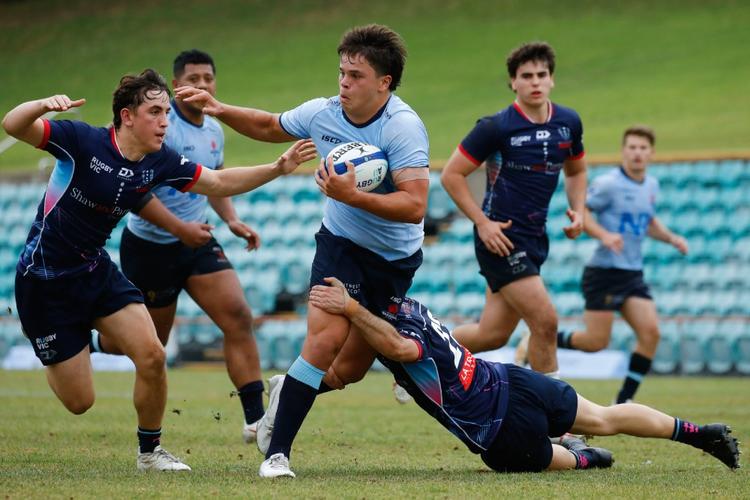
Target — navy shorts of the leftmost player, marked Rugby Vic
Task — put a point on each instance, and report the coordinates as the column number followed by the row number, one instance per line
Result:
column 57, row 314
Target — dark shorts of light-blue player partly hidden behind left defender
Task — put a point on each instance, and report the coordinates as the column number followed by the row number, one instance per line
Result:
column 160, row 270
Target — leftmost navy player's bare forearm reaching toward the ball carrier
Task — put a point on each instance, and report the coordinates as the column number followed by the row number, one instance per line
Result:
column 231, row 181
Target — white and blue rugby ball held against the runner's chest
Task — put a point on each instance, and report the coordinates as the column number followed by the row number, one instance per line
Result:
column 370, row 163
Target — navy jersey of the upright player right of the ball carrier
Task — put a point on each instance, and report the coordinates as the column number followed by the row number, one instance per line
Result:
column 524, row 160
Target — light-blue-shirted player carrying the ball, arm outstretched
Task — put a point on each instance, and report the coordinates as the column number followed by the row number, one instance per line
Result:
column 371, row 241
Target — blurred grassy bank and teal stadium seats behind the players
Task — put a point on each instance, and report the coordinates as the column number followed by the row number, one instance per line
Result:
column 680, row 67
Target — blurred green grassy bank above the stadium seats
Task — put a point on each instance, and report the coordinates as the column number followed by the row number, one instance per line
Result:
column 677, row 65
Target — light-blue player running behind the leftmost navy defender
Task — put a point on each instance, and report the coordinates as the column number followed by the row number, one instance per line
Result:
column 168, row 246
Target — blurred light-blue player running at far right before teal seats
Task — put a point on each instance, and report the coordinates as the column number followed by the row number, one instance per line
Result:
column 623, row 201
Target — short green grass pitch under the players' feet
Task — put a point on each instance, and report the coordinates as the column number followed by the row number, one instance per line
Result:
column 355, row 444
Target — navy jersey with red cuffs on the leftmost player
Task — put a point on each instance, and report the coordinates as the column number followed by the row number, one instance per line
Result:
column 91, row 188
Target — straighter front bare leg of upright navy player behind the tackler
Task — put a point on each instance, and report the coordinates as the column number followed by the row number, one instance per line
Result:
column 530, row 299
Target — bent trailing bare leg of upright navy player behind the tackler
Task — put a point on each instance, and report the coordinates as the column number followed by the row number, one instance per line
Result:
column 496, row 324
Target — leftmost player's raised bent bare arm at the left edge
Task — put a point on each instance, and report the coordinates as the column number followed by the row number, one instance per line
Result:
column 24, row 121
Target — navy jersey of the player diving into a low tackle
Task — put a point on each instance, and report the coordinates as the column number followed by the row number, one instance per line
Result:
column 468, row 396
